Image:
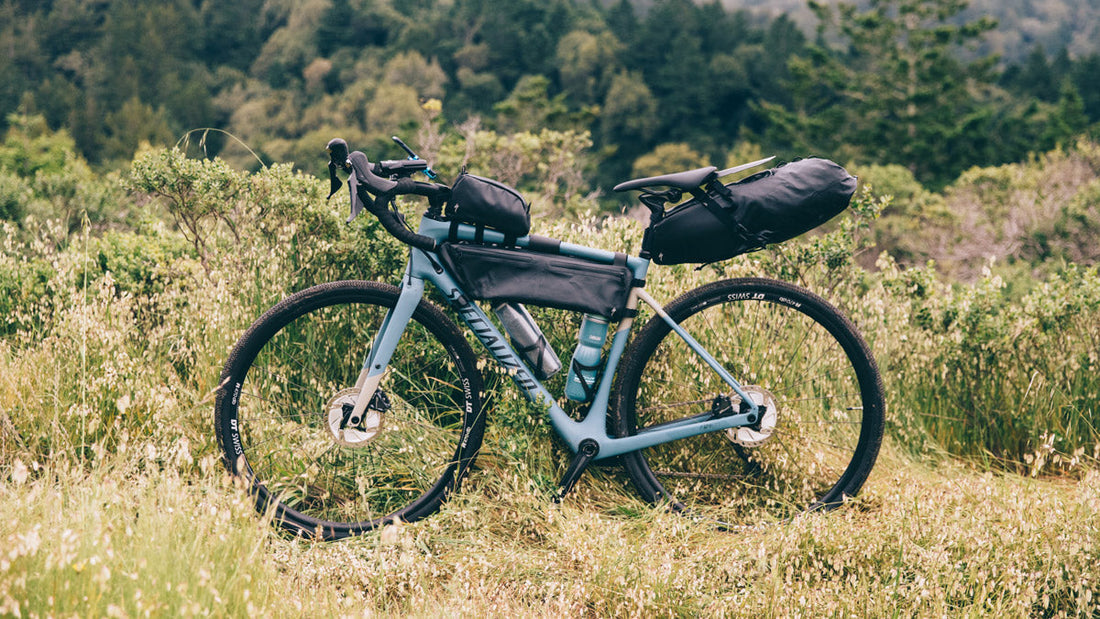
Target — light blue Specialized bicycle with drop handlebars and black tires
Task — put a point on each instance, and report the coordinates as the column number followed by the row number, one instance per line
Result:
column 351, row 405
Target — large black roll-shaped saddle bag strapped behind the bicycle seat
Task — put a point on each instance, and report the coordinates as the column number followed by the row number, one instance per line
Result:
column 767, row 208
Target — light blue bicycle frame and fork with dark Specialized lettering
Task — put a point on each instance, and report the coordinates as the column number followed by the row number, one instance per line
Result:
column 424, row 267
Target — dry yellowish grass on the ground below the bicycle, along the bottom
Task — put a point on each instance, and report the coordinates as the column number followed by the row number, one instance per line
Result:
column 168, row 537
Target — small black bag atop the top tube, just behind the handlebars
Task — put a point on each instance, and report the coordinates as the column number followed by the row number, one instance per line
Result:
column 485, row 202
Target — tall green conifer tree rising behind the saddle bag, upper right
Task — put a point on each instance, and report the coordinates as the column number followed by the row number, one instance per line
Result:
column 897, row 90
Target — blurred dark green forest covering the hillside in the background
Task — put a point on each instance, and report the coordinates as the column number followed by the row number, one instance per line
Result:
column 910, row 83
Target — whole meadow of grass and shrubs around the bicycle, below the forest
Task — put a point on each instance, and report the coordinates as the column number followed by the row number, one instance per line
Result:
column 120, row 296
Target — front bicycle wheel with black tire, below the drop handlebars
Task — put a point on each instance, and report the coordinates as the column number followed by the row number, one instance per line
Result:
column 292, row 369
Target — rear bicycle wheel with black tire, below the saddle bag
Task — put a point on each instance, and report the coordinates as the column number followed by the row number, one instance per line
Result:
column 794, row 353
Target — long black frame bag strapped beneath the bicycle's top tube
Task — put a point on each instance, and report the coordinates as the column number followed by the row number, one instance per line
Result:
column 499, row 274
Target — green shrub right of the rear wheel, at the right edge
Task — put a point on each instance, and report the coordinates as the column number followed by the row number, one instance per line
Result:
column 1005, row 381
